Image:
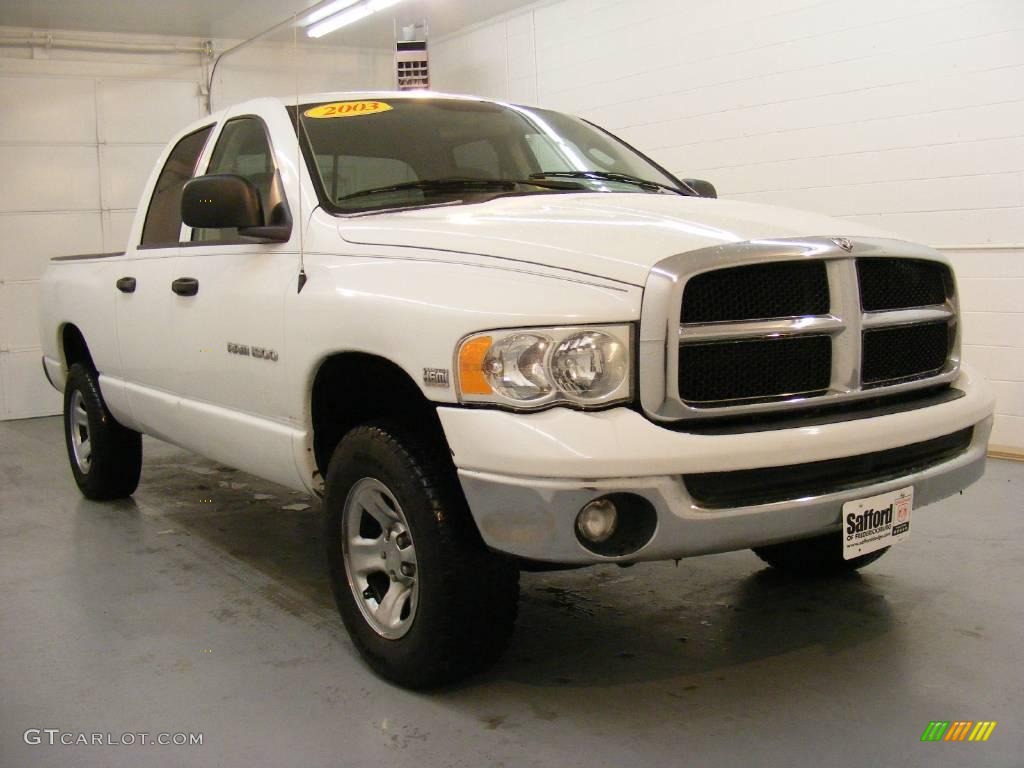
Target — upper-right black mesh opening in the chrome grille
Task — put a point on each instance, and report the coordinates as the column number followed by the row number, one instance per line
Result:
column 902, row 284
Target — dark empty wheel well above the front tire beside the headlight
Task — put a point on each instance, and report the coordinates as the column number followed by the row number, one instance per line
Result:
column 355, row 389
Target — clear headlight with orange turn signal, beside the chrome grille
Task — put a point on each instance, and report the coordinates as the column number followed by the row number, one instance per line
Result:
column 534, row 368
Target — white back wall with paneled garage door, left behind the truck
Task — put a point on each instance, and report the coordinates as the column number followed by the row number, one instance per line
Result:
column 79, row 134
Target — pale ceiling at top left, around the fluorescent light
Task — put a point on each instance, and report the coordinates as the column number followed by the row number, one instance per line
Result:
column 240, row 19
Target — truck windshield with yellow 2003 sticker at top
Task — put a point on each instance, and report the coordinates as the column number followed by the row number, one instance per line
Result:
column 376, row 155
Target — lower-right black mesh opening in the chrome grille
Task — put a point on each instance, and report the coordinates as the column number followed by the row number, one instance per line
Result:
column 905, row 354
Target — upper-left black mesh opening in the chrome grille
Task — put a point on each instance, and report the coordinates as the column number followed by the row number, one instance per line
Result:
column 783, row 289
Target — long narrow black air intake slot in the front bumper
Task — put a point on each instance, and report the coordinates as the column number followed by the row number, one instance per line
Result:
column 753, row 487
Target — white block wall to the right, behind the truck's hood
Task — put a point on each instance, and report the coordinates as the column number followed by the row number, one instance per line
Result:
column 908, row 114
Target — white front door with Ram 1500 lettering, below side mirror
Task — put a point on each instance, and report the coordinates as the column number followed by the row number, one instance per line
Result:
column 229, row 316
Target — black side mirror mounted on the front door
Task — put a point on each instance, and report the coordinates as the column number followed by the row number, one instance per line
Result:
column 226, row 200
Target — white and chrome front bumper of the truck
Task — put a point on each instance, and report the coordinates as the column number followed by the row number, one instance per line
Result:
column 527, row 477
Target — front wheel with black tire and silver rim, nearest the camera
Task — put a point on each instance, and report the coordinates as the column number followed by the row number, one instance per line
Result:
column 424, row 601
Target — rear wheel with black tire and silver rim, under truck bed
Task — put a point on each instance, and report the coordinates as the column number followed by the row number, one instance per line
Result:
column 106, row 458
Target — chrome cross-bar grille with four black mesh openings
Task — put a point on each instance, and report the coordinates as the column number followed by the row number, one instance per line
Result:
column 778, row 325
